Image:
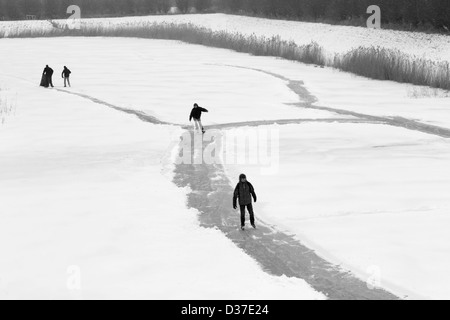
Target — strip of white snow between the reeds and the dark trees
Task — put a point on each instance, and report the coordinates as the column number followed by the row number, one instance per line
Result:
column 334, row 39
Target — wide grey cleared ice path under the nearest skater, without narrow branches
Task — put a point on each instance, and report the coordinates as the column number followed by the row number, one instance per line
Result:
column 277, row 253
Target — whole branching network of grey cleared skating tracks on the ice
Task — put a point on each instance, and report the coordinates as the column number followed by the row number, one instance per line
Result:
column 278, row 253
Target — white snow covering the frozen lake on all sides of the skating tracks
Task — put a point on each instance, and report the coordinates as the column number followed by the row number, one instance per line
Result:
column 84, row 183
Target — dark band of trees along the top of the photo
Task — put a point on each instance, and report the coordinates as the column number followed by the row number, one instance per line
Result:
column 414, row 14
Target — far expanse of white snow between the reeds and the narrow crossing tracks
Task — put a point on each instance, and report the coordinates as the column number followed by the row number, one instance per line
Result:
column 167, row 87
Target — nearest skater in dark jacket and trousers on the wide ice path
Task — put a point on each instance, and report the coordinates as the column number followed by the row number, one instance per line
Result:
column 245, row 192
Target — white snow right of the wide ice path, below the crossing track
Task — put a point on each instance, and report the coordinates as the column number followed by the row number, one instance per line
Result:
column 365, row 196
